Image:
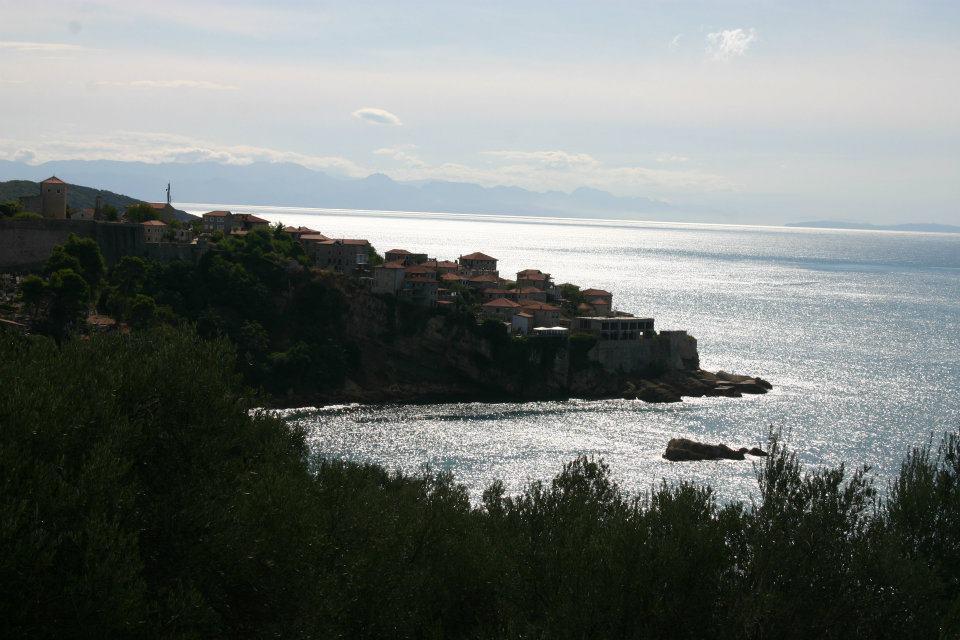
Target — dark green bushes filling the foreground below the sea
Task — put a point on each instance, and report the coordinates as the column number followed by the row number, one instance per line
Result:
column 138, row 498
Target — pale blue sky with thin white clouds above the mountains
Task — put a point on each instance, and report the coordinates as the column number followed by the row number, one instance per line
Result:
column 779, row 110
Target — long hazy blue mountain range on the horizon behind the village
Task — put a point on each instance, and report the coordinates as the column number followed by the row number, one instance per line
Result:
column 287, row 184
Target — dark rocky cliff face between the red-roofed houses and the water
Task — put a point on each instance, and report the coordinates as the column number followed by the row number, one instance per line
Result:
column 410, row 354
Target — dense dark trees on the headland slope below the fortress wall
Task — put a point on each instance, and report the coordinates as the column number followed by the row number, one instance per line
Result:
column 287, row 322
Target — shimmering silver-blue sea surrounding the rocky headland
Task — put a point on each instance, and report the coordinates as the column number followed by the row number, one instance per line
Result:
column 859, row 332
